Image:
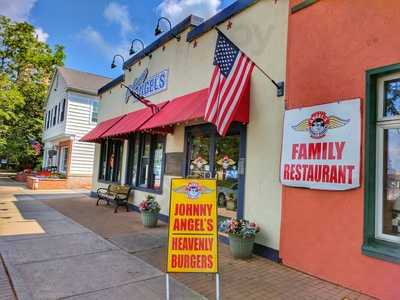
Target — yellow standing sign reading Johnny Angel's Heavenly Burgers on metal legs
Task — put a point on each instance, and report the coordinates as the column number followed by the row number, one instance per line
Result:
column 193, row 228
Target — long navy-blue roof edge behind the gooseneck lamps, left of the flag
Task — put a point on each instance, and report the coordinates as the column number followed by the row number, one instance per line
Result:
column 189, row 21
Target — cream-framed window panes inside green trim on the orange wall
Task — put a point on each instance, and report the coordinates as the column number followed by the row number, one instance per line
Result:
column 388, row 164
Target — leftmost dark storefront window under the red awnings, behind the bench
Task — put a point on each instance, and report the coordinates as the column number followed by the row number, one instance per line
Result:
column 110, row 160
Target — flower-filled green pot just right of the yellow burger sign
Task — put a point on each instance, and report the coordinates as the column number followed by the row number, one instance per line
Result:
column 242, row 234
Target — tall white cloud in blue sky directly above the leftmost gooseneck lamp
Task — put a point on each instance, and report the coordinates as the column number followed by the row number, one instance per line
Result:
column 119, row 14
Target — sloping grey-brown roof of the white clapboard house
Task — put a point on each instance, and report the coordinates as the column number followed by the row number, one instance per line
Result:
column 82, row 81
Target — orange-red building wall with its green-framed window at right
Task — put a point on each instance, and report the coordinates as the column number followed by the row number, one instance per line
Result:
column 348, row 237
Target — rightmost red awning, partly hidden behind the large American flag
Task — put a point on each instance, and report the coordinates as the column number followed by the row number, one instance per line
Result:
column 188, row 108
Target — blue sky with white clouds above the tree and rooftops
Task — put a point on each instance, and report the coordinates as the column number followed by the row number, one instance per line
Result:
column 92, row 31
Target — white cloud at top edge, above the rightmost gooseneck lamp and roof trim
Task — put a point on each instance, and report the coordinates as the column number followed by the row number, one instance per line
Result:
column 177, row 10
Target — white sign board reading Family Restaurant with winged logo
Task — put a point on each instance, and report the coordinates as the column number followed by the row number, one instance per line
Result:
column 321, row 146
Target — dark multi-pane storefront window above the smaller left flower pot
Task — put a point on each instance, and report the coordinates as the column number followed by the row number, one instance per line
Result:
column 146, row 161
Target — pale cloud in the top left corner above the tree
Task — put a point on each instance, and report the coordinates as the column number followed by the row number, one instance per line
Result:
column 17, row 10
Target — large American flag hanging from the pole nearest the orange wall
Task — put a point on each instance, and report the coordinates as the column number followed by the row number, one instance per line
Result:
column 231, row 75
